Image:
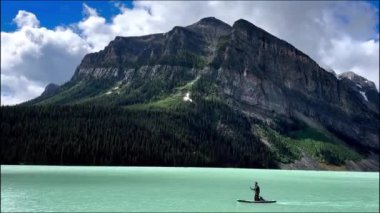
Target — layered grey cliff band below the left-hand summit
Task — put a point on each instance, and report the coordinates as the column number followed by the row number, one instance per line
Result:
column 189, row 47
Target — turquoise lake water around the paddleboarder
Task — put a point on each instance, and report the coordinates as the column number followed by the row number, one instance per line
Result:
column 60, row 188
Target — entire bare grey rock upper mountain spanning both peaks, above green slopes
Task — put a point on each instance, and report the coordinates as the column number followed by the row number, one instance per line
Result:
column 256, row 73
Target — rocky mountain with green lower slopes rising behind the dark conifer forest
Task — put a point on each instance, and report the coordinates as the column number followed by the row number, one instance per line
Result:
column 277, row 88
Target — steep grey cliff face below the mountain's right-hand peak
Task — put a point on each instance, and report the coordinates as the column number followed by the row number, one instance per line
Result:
column 262, row 71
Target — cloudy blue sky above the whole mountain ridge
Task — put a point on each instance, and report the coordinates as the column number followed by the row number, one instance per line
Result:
column 43, row 42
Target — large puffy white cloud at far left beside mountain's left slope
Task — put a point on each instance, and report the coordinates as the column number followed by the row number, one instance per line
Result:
column 34, row 56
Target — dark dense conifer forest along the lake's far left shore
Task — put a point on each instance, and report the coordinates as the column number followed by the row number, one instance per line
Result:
column 204, row 134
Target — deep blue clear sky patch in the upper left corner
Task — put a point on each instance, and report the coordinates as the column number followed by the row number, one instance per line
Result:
column 55, row 13
